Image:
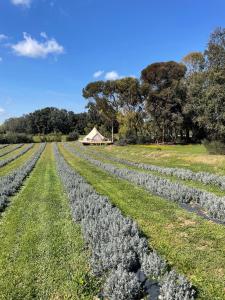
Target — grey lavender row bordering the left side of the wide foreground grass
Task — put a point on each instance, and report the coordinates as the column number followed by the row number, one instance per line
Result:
column 10, row 183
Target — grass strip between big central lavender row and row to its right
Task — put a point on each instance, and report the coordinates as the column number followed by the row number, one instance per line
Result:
column 194, row 246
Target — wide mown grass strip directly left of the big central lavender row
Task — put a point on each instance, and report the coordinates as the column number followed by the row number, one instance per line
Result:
column 42, row 253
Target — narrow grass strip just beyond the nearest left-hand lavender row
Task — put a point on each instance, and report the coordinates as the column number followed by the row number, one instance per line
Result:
column 18, row 162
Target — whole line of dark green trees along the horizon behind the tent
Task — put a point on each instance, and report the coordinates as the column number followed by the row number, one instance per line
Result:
column 170, row 102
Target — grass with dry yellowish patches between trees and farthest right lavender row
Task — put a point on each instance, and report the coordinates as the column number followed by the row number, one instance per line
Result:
column 193, row 157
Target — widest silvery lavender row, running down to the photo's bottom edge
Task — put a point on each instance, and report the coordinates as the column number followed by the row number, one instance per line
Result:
column 119, row 254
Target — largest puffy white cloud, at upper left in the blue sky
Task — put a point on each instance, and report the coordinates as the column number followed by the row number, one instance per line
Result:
column 30, row 47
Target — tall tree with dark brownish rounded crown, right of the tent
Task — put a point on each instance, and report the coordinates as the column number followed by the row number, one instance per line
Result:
column 164, row 97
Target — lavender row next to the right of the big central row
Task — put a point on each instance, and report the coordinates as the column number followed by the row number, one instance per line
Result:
column 212, row 204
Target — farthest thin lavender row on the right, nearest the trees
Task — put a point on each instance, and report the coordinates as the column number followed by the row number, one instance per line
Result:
column 185, row 174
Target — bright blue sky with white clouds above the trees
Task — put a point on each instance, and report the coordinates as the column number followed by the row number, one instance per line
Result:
column 50, row 49
